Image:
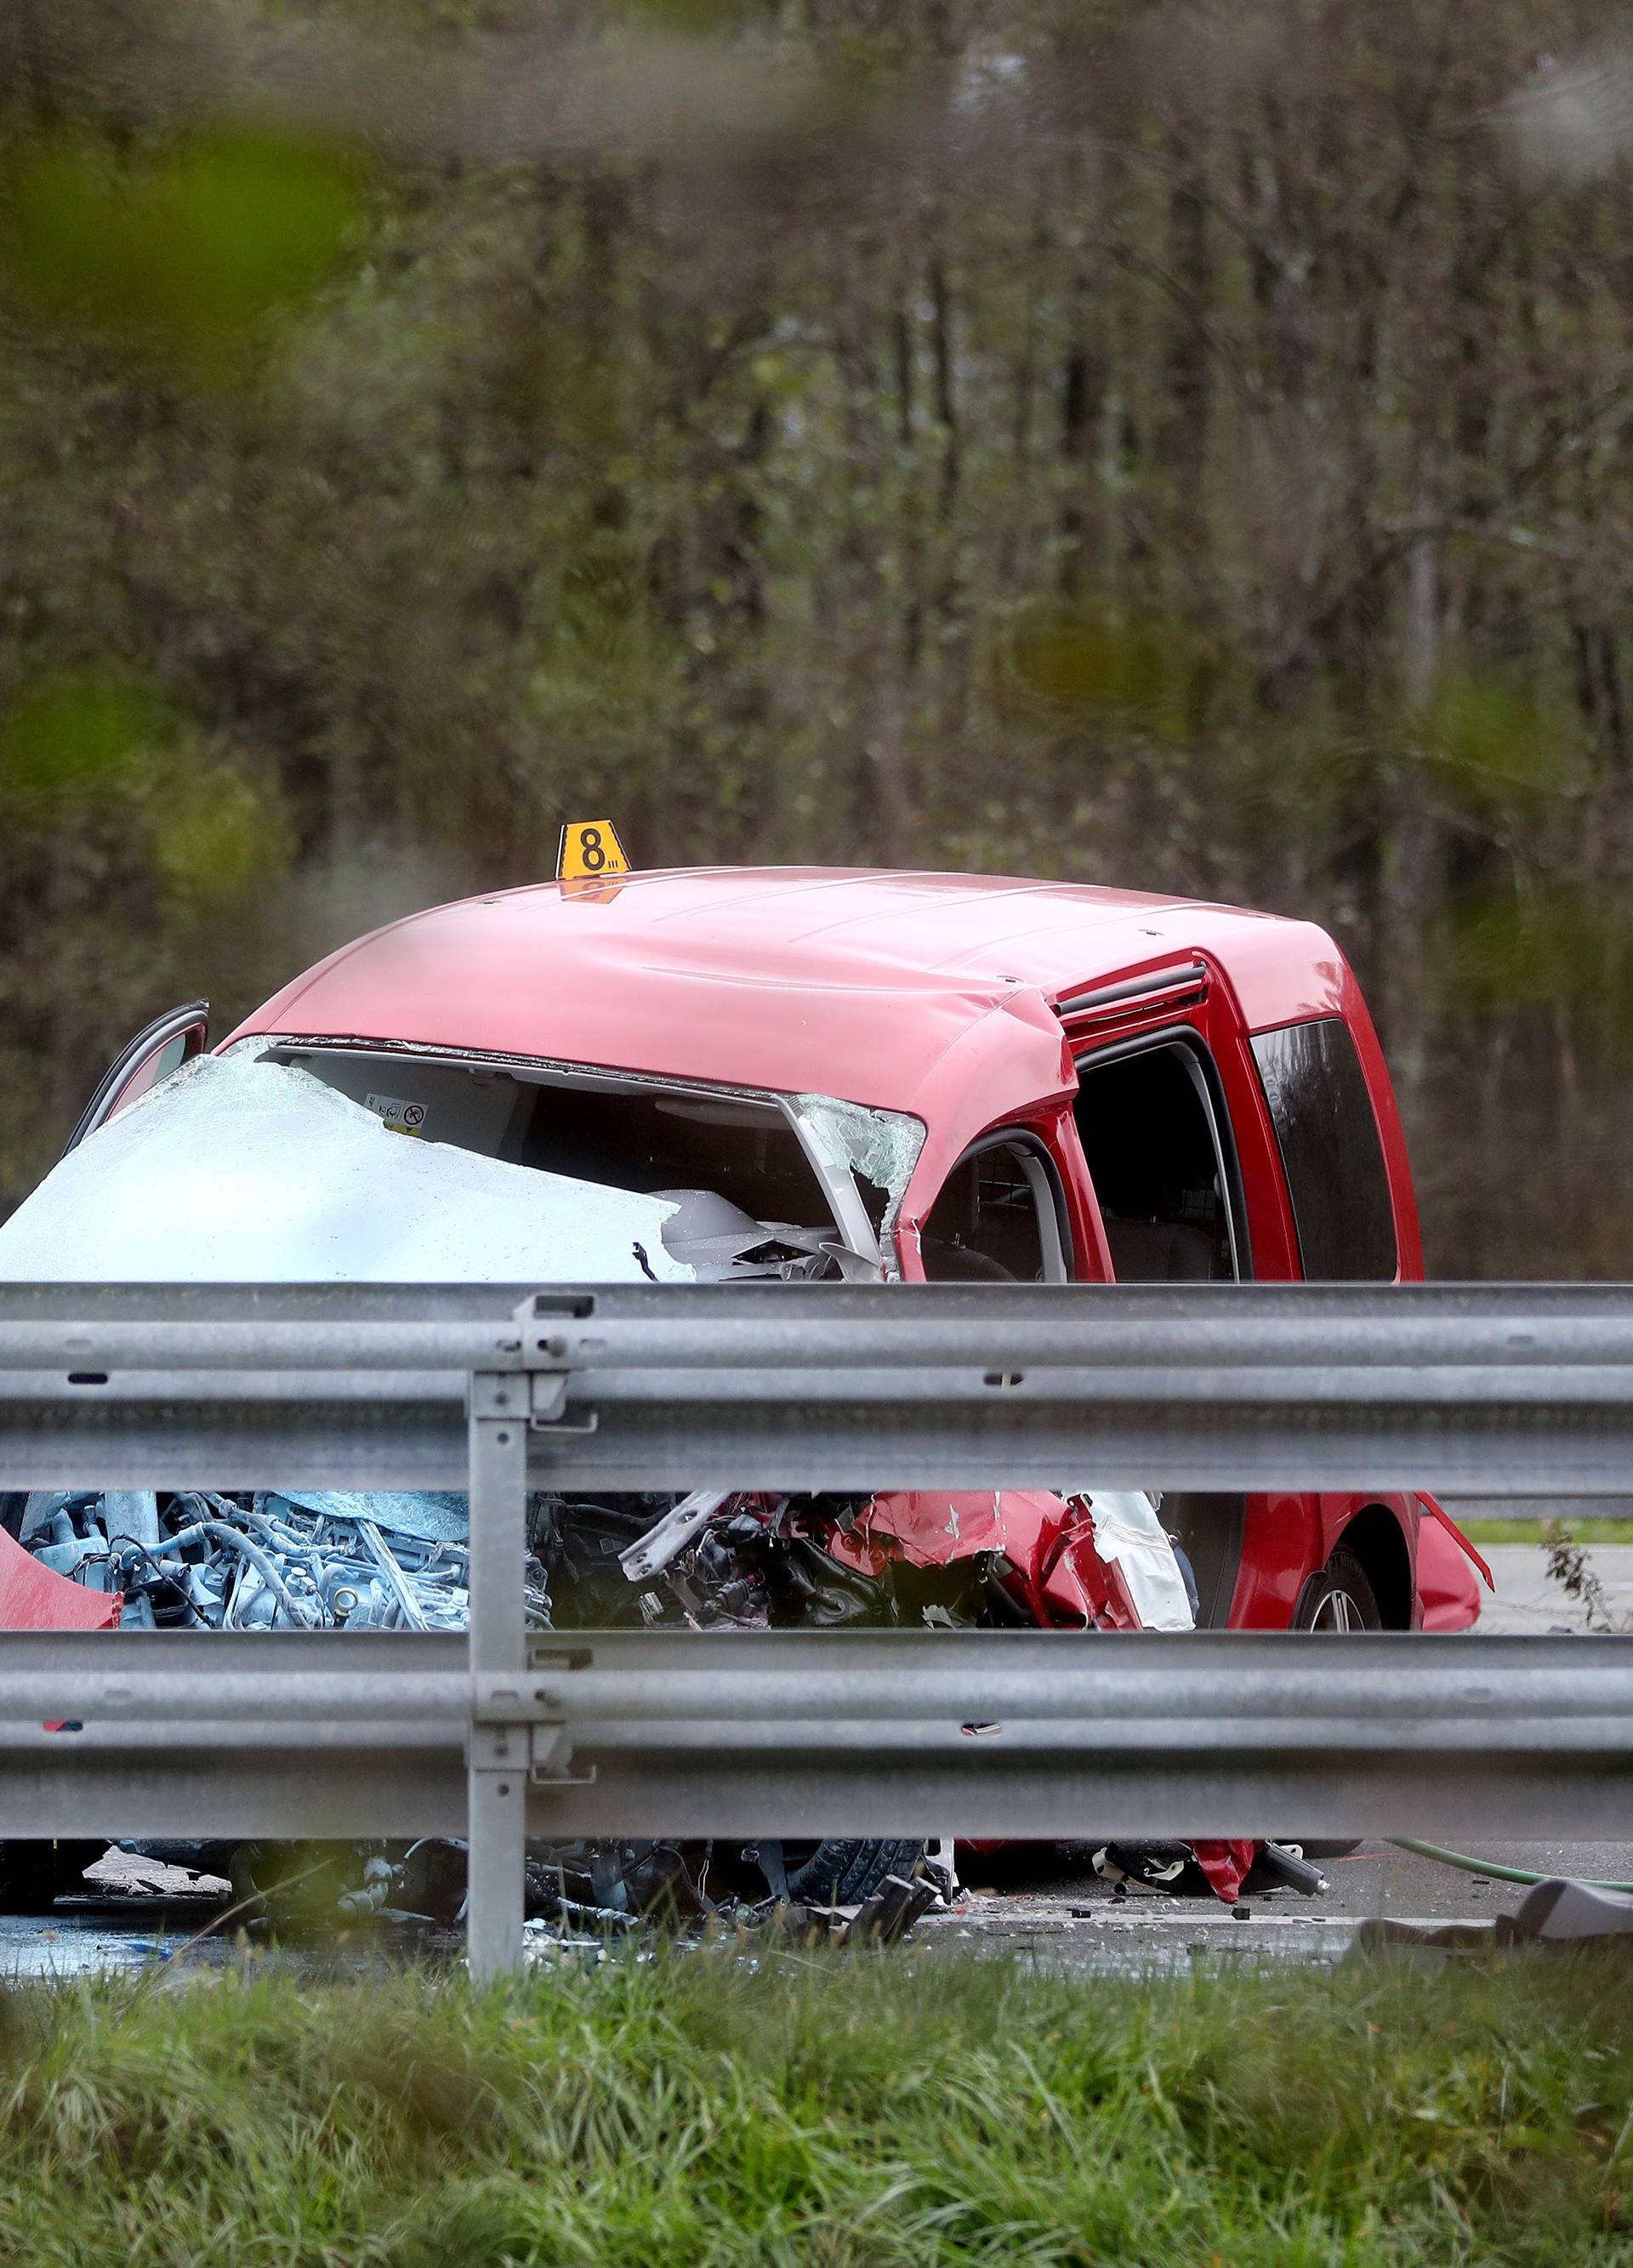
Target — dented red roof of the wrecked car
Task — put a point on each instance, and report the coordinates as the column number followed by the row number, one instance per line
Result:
column 892, row 990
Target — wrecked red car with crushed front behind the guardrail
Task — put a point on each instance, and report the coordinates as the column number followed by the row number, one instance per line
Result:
column 788, row 1074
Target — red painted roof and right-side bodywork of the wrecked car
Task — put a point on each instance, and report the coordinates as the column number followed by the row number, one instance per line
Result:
column 931, row 995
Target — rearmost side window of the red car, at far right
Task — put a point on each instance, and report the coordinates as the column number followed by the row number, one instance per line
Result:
column 1330, row 1151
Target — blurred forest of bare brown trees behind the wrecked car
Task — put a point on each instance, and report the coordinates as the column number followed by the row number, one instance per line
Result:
column 1185, row 448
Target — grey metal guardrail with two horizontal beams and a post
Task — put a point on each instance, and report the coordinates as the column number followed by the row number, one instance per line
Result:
column 1505, row 1391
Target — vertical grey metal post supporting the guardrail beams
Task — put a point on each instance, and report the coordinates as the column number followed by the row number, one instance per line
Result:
column 500, row 1754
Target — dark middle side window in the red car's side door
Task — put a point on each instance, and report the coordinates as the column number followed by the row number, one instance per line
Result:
column 1151, row 1137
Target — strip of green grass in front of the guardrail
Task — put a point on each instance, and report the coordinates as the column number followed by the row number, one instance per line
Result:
column 827, row 2113
